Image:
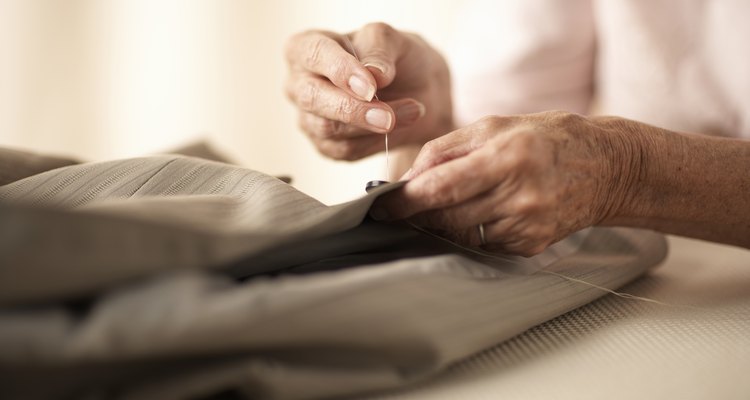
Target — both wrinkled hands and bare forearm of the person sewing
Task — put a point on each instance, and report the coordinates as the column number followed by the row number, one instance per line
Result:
column 529, row 180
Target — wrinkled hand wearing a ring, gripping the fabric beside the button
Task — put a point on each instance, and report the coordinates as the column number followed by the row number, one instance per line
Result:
column 530, row 180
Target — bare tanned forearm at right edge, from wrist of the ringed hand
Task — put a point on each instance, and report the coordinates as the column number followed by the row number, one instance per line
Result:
column 684, row 184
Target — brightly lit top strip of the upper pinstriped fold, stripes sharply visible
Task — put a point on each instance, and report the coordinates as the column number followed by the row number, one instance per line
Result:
column 159, row 177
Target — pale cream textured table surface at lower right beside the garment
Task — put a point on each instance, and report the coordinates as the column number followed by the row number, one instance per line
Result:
column 696, row 347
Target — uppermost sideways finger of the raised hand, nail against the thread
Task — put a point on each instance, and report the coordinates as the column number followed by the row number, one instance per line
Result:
column 321, row 54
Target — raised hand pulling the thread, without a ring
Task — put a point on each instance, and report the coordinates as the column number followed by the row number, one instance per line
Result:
column 335, row 92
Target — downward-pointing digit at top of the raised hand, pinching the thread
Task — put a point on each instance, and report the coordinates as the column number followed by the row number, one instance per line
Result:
column 379, row 46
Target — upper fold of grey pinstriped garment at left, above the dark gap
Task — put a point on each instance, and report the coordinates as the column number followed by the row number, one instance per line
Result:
column 146, row 215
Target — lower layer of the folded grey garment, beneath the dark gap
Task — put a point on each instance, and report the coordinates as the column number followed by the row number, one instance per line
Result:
column 319, row 335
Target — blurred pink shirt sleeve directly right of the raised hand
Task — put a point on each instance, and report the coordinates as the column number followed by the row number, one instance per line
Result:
column 514, row 57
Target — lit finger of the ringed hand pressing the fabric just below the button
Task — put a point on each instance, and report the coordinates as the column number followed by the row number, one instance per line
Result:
column 445, row 185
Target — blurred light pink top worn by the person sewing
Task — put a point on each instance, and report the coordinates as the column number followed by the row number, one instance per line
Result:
column 679, row 64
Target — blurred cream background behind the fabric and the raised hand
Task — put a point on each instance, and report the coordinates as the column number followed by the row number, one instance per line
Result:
column 120, row 78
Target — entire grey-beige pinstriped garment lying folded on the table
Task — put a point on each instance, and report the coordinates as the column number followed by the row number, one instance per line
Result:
column 176, row 277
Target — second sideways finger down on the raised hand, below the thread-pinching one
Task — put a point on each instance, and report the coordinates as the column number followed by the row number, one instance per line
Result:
column 318, row 96
